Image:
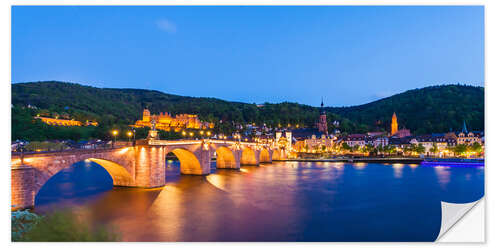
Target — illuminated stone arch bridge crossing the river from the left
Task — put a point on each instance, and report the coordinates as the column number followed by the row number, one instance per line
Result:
column 142, row 165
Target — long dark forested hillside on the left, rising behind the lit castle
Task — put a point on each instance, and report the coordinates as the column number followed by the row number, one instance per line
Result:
column 110, row 106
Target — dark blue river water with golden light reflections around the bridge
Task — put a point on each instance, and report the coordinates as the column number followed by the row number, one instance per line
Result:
column 285, row 201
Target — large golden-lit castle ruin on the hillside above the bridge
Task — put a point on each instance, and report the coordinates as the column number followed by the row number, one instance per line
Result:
column 164, row 121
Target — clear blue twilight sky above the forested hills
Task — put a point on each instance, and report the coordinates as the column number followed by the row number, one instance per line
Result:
column 349, row 55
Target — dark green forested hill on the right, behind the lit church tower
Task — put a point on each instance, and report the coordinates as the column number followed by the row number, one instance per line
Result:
column 425, row 110
